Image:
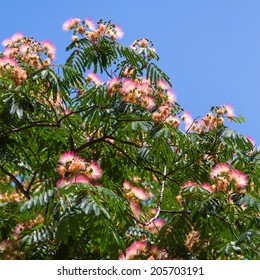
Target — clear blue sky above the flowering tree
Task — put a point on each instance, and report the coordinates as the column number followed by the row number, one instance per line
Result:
column 209, row 48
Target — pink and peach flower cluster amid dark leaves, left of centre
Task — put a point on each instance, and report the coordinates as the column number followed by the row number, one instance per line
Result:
column 74, row 169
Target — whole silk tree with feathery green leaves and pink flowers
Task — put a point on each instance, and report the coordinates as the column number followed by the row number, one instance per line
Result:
column 99, row 161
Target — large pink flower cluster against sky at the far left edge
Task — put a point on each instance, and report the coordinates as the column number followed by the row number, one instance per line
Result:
column 20, row 49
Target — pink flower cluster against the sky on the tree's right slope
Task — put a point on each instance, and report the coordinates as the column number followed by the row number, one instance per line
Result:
column 210, row 121
